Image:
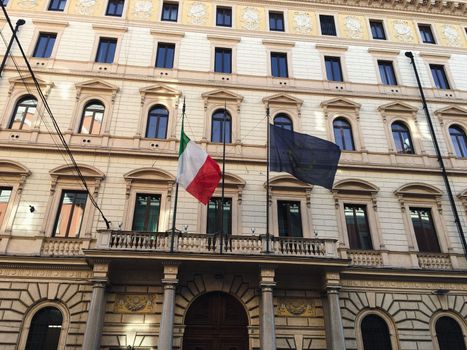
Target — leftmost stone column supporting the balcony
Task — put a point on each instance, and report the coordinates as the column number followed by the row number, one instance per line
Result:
column 96, row 312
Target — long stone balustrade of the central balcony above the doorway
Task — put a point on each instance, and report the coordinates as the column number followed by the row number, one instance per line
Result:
column 207, row 243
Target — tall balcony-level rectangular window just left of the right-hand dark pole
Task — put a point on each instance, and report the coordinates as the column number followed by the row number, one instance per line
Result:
column 424, row 229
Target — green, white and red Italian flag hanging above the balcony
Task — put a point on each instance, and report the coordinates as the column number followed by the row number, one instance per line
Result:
column 198, row 173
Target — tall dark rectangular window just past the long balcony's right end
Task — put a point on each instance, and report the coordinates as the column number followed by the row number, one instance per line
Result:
column 357, row 226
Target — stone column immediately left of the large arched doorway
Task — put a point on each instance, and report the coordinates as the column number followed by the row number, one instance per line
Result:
column 167, row 318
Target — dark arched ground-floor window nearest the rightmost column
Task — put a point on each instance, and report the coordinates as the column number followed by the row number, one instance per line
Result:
column 375, row 333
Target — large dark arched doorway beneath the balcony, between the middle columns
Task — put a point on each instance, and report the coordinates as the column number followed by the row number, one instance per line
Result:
column 216, row 321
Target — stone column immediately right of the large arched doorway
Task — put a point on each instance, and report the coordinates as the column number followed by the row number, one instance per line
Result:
column 267, row 326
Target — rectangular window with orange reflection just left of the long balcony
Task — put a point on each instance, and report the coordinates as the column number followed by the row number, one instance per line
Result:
column 70, row 214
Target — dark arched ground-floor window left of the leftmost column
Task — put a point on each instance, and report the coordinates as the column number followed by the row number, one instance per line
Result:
column 44, row 332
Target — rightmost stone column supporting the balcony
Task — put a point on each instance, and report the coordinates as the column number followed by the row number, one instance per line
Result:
column 334, row 327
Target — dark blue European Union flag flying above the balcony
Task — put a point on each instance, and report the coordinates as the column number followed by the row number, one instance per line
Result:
column 308, row 158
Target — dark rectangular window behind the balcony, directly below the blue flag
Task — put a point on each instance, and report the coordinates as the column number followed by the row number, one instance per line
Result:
column 289, row 218
